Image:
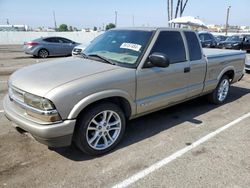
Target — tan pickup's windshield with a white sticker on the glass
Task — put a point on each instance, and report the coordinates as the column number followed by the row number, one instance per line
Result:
column 121, row 46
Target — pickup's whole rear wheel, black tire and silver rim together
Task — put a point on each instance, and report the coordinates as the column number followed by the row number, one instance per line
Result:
column 219, row 95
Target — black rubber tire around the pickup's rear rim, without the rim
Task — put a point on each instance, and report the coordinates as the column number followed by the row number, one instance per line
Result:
column 213, row 97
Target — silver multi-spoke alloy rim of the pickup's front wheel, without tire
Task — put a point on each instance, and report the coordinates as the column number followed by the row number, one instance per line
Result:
column 103, row 130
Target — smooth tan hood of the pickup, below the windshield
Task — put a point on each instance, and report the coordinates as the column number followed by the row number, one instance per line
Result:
column 39, row 79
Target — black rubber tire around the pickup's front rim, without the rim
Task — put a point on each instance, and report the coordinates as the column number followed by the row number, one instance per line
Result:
column 82, row 133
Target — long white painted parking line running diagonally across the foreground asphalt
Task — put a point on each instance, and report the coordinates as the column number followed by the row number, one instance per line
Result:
column 165, row 161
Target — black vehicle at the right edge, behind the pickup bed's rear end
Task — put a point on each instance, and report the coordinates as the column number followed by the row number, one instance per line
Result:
column 237, row 42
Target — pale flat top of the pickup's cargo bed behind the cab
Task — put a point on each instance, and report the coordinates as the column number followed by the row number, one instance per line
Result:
column 213, row 53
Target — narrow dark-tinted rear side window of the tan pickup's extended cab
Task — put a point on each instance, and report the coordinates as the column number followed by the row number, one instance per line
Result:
column 193, row 46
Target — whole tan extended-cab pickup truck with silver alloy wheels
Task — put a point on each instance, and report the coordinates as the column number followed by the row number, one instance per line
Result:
column 124, row 74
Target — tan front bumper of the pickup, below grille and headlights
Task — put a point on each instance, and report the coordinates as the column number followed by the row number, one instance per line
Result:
column 54, row 135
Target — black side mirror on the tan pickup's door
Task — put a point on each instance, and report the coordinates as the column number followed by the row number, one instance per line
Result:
column 159, row 60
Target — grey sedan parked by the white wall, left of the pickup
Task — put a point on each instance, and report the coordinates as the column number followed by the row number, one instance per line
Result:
column 49, row 46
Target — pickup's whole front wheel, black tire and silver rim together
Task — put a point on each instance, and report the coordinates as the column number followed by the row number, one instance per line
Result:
column 100, row 129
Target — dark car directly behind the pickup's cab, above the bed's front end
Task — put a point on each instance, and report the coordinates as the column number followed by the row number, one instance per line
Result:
column 207, row 39
